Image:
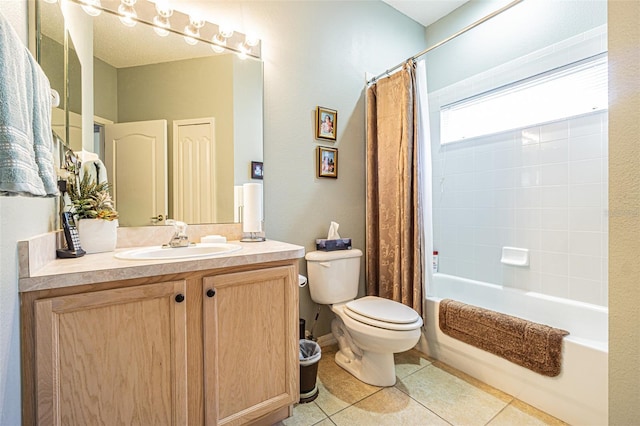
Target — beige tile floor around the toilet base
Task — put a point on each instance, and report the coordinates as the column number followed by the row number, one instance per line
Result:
column 427, row 392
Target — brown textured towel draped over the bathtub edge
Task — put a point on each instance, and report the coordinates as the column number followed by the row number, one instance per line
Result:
column 534, row 346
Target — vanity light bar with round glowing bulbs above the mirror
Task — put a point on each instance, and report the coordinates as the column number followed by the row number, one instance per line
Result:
column 173, row 21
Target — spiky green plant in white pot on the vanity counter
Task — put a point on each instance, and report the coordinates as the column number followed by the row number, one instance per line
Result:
column 96, row 217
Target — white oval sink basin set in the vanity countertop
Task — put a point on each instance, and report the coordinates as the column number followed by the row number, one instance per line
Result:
column 194, row 251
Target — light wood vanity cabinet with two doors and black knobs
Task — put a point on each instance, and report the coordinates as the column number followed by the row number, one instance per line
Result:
column 210, row 347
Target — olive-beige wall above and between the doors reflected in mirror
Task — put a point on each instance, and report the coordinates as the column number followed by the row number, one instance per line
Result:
column 193, row 88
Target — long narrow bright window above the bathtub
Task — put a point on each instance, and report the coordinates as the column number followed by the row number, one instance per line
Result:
column 572, row 90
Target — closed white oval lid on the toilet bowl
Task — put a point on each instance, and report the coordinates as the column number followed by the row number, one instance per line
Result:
column 383, row 313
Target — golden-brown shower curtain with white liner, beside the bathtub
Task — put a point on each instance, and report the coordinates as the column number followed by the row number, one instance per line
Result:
column 399, row 187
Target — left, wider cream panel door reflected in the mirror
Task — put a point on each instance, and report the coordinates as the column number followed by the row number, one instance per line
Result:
column 136, row 161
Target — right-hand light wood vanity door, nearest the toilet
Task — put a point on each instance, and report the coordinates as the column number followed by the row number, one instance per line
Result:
column 250, row 344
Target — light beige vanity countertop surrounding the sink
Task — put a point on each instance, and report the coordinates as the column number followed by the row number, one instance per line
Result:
column 101, row 267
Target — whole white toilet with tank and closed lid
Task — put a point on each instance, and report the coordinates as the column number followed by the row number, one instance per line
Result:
column 369, row 330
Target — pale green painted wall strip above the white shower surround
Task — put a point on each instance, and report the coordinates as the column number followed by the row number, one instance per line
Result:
column 528, row 26
